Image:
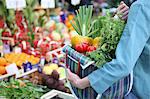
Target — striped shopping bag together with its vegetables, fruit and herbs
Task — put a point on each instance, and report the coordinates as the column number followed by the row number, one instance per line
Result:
column 92, row 48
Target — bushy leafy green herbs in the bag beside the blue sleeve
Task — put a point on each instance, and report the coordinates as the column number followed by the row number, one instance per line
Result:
column 110, row 30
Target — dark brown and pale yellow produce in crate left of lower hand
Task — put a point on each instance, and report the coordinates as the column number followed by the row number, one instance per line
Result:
column 52, row 81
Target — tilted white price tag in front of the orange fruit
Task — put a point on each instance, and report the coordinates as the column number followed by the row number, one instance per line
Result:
column 12, row 69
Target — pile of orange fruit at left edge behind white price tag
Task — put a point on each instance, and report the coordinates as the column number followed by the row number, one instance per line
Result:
column 18, row 59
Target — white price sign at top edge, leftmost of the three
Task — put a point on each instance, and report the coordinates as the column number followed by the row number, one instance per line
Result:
column 15, row 4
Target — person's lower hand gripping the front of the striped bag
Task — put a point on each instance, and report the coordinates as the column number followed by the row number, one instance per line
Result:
column 77, row 81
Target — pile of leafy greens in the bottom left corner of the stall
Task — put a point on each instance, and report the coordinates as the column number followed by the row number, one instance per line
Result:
column 17, row 89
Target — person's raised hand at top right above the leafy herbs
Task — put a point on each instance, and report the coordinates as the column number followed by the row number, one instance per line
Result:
column 124, row 10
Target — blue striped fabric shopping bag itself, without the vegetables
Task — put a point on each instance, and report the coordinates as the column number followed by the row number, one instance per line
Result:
column 82, row 66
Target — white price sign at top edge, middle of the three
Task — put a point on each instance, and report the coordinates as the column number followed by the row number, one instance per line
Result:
column 48, row 3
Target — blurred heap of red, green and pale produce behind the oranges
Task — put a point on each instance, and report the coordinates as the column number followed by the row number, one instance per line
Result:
column 33, row 31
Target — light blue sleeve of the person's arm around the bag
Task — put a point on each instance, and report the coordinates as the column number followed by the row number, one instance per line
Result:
column 129, row 49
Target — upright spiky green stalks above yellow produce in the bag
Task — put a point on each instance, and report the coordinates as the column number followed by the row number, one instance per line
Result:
column 83, row 21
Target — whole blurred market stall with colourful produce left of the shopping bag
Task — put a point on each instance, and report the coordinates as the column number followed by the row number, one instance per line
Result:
column 31, row 42
